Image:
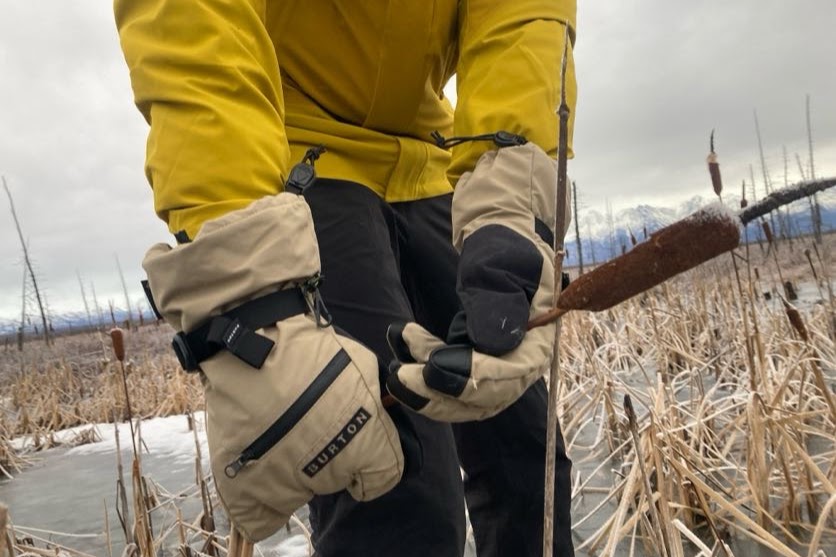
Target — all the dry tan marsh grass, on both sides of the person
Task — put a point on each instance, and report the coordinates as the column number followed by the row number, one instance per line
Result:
column 733, row 434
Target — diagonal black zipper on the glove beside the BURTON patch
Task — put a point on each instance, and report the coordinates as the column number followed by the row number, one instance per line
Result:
column 282, row 426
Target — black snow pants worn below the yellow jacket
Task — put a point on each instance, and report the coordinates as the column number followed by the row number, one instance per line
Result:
column 384, row 263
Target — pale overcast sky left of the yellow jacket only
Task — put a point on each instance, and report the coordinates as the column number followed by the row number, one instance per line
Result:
column 71, row 150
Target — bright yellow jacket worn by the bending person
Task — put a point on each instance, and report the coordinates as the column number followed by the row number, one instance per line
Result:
column 235, row 91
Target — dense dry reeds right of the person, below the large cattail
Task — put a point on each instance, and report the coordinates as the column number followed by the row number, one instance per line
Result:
column 736, row 427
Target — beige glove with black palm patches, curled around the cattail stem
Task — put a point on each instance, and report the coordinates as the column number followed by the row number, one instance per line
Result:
column 503, row 215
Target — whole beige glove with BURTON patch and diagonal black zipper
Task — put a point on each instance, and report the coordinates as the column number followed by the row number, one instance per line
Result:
column 293, row 408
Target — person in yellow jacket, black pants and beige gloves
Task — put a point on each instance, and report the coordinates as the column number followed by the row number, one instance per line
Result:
column 237, row 93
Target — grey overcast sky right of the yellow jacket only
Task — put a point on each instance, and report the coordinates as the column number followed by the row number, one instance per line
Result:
column 655, row 78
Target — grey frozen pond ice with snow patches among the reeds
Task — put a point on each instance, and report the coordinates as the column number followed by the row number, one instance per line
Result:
column 67, row 490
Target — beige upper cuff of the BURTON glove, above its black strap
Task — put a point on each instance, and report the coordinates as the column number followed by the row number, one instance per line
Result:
column 241, row 256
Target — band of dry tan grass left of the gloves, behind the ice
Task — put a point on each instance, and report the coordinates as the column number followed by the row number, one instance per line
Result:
column 78, row 382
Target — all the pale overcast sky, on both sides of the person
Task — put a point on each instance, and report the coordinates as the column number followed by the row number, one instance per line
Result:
column 655, row 77
